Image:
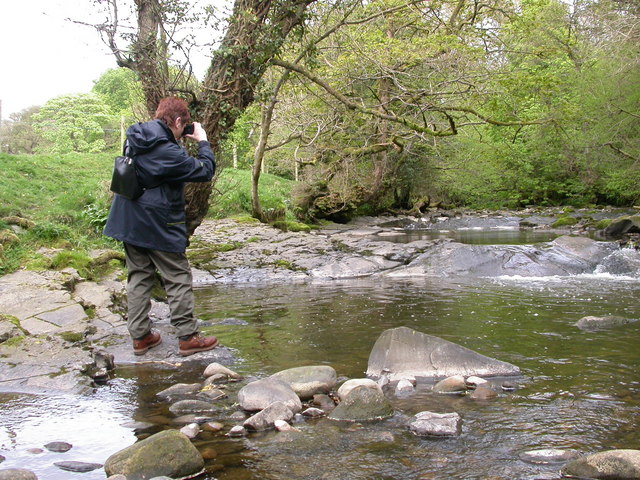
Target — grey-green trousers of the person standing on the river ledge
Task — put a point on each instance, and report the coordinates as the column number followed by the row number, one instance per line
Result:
column 176, row 273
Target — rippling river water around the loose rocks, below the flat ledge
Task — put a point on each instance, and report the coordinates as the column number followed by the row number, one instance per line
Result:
column 579, row 390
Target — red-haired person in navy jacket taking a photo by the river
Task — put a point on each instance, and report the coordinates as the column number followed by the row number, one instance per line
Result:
column 153, row 227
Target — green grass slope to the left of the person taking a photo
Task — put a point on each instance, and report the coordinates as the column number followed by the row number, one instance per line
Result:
column 63, row 200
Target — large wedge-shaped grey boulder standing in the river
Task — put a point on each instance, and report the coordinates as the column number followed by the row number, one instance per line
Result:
column 402, row 352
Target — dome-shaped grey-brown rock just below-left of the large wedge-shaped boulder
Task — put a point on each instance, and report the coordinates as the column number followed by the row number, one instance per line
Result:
column 362, row 404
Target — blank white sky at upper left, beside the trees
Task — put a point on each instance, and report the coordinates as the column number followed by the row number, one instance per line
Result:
column 43, row 55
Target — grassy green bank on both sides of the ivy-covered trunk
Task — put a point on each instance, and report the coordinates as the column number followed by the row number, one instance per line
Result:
column 53, row 208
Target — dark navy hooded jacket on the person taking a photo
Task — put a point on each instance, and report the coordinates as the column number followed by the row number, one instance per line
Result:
column 157, row 219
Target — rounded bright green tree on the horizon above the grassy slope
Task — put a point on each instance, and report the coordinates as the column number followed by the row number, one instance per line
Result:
column 73, row 123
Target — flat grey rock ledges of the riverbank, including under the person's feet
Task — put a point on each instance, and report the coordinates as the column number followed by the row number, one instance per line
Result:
column 61, row 332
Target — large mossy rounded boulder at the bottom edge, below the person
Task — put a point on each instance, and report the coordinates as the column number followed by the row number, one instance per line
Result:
column 168, row 453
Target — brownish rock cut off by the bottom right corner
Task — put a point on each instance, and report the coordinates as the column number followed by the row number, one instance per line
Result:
column 612, row 464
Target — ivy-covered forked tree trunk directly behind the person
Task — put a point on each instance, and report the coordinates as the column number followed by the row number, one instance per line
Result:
column 255, row 33
